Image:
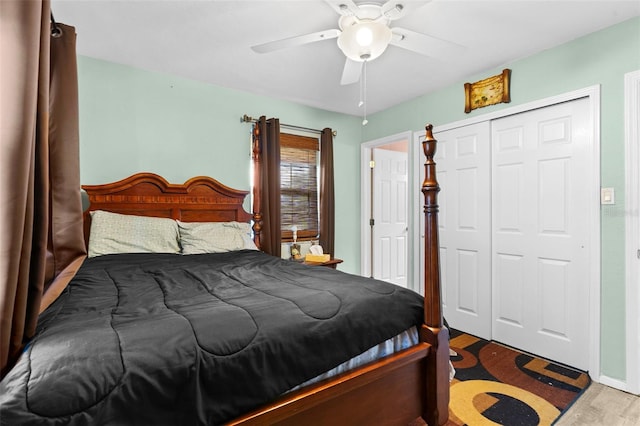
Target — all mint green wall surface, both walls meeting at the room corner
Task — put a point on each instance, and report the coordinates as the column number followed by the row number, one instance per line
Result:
column 133, row 120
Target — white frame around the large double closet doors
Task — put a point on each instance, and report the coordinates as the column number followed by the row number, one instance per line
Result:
column 592, row 93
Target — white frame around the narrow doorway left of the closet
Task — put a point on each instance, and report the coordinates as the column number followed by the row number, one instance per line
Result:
column 365, row 201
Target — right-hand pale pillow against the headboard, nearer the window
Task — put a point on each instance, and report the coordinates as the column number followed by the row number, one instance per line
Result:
column 215, row 237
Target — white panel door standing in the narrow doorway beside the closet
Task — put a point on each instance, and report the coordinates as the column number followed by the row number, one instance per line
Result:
column 390, row 230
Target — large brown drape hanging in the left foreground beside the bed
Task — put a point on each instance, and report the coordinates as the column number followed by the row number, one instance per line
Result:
column 40, row 208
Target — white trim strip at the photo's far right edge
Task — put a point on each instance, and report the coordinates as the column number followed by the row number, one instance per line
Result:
column 632, row 226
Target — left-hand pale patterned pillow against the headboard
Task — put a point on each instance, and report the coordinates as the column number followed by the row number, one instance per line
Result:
column 113, row 233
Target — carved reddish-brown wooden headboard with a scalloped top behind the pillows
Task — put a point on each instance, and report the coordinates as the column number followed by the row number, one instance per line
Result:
column 200, row 199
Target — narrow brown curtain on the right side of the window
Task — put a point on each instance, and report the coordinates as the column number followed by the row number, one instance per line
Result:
column 327, row 197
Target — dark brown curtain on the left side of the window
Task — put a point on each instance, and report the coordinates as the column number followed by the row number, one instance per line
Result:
column 269, row 134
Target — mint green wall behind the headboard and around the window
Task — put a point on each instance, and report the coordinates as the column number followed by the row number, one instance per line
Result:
column 133, row 120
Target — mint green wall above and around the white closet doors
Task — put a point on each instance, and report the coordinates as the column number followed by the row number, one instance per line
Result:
column 601, row 58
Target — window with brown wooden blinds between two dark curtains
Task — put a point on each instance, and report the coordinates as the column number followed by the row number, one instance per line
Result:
column 299, row 170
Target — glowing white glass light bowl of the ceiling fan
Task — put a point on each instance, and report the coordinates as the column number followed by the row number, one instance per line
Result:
column 364, row 40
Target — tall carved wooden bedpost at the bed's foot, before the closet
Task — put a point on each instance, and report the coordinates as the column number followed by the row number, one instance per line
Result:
column 433, row 331
